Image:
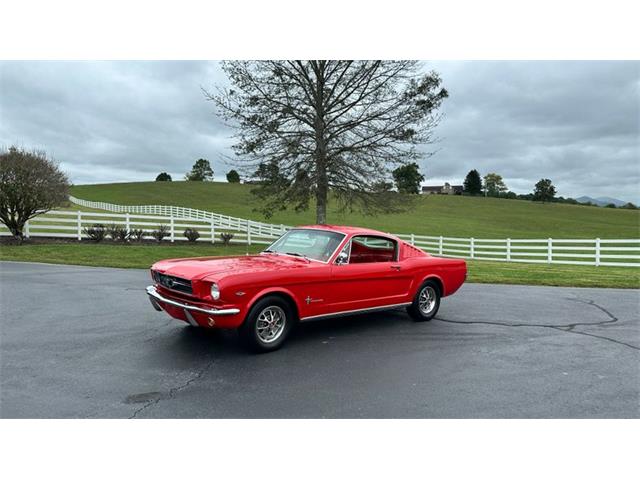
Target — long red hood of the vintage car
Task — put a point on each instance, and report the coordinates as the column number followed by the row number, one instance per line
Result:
column 217, row 267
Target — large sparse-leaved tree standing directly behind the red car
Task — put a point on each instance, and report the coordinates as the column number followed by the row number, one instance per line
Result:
column 322, row 126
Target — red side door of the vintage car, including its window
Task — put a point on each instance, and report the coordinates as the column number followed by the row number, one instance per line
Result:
column 371, row 277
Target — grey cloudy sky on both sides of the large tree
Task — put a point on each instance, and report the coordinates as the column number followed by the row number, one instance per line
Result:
column 577, row 123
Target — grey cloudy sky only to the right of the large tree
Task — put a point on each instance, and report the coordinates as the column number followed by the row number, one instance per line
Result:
column 574, row 122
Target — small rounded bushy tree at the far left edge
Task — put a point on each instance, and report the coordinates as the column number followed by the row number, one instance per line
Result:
column 30, row 184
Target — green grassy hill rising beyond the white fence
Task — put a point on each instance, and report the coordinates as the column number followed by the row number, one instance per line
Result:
column 430, row 215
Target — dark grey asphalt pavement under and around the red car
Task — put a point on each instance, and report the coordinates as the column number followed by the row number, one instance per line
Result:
column 84, row 342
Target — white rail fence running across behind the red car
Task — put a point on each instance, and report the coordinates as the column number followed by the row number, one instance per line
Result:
column 598, row 252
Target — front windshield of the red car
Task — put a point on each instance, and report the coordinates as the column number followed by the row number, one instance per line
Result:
column 312, row 244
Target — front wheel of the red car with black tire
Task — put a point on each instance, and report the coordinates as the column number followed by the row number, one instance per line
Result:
column 254, row 333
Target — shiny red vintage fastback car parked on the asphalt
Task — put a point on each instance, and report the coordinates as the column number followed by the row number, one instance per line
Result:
column 311, row 272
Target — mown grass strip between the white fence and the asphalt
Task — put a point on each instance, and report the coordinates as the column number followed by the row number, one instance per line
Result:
column 142, row 256
